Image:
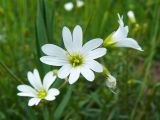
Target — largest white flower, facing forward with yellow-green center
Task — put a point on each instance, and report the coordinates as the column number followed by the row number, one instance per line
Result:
column 77, row 59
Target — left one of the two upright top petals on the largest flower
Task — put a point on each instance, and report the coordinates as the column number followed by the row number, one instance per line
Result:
column 67, row 39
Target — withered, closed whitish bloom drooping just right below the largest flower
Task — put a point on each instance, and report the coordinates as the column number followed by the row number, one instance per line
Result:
column 111, row 82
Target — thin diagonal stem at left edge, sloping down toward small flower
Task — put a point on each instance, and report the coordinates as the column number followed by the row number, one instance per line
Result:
column 10, row 72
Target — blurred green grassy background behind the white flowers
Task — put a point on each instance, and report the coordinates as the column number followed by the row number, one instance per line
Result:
column 25, row 25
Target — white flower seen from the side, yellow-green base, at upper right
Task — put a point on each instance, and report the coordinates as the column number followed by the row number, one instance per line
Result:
column 119, row 38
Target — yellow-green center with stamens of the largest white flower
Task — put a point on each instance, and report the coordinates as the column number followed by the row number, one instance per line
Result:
column 76, row 60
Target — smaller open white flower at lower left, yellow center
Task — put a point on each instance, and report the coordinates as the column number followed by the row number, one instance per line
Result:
column 38, row 90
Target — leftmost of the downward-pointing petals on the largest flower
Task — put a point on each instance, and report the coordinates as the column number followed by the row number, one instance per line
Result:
column 64, row 71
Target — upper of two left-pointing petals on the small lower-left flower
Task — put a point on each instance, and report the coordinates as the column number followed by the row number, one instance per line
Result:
column 26, row 89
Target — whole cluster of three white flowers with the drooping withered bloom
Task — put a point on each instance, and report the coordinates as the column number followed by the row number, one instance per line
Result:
column 75, row 60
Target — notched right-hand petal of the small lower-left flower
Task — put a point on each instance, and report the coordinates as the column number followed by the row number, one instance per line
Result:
column 51, row 94
